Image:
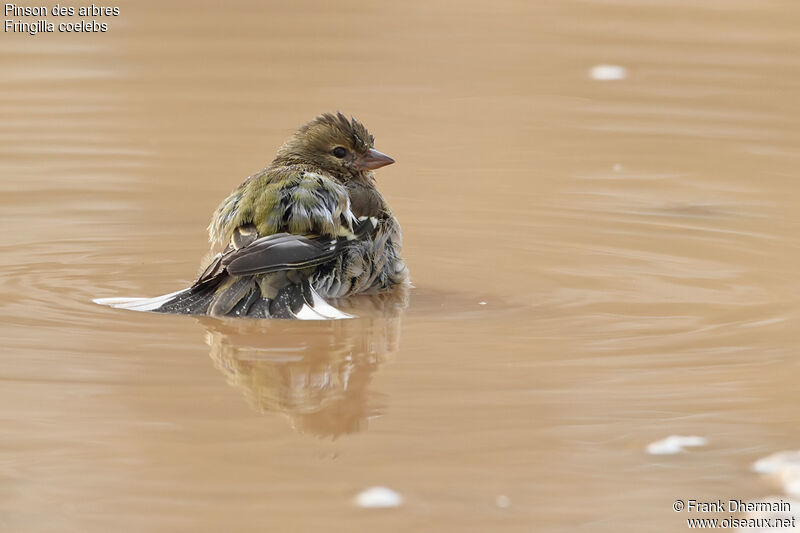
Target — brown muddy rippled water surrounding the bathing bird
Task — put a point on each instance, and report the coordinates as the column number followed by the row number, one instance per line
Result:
column 598, row 264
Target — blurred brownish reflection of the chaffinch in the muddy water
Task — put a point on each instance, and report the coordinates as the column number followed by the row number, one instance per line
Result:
column 316, row 373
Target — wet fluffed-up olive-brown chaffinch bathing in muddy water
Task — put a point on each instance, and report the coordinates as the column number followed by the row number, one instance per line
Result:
column 310, row 227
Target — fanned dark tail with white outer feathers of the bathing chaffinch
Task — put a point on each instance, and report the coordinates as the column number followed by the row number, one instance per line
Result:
column 238, row 297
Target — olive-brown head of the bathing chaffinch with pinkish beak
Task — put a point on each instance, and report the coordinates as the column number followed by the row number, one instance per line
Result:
column 342, row 147
